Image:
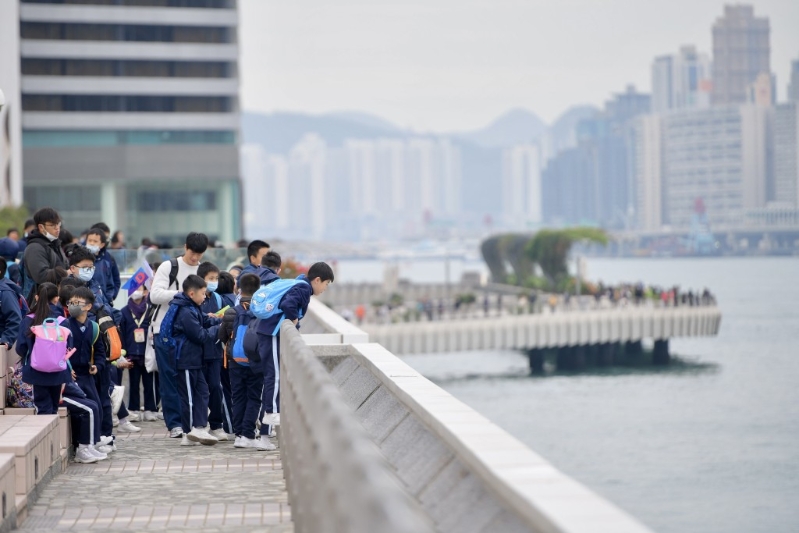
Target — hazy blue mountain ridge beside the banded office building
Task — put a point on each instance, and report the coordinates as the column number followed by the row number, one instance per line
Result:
column 278, row 132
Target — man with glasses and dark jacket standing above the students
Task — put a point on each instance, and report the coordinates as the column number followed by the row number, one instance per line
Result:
column 43, row 253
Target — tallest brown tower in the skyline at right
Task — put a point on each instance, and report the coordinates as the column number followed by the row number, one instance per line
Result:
column 741, row 51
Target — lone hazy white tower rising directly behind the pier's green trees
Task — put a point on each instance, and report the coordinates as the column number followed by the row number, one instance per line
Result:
column 521, row 186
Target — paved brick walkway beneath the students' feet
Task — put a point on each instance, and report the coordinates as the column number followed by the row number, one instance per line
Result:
column 151, row 483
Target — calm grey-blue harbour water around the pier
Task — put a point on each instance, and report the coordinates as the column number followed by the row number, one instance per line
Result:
column 710, row 444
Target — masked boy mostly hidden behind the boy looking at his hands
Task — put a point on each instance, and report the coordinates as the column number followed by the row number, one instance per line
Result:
column 219, row 419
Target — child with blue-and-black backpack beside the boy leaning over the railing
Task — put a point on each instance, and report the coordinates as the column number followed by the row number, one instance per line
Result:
column 246, row 384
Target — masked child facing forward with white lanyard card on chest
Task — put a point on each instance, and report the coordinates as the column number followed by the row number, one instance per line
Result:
column 133, row 331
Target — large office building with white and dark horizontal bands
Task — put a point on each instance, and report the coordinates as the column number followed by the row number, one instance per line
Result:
column 130, row 114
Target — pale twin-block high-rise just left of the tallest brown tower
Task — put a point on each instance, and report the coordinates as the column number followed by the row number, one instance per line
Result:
column 681, row 81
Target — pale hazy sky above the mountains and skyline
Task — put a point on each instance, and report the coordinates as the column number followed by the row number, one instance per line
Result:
column 442, row 65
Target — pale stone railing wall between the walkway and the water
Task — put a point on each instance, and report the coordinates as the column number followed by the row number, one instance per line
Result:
column 464, row 473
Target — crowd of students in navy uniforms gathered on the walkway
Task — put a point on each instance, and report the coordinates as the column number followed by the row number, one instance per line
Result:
column 193, row 317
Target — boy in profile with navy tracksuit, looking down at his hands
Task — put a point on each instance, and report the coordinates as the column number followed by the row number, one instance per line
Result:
column 193, row 332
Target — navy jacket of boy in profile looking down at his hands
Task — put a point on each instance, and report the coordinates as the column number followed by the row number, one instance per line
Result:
column 194, row 332
